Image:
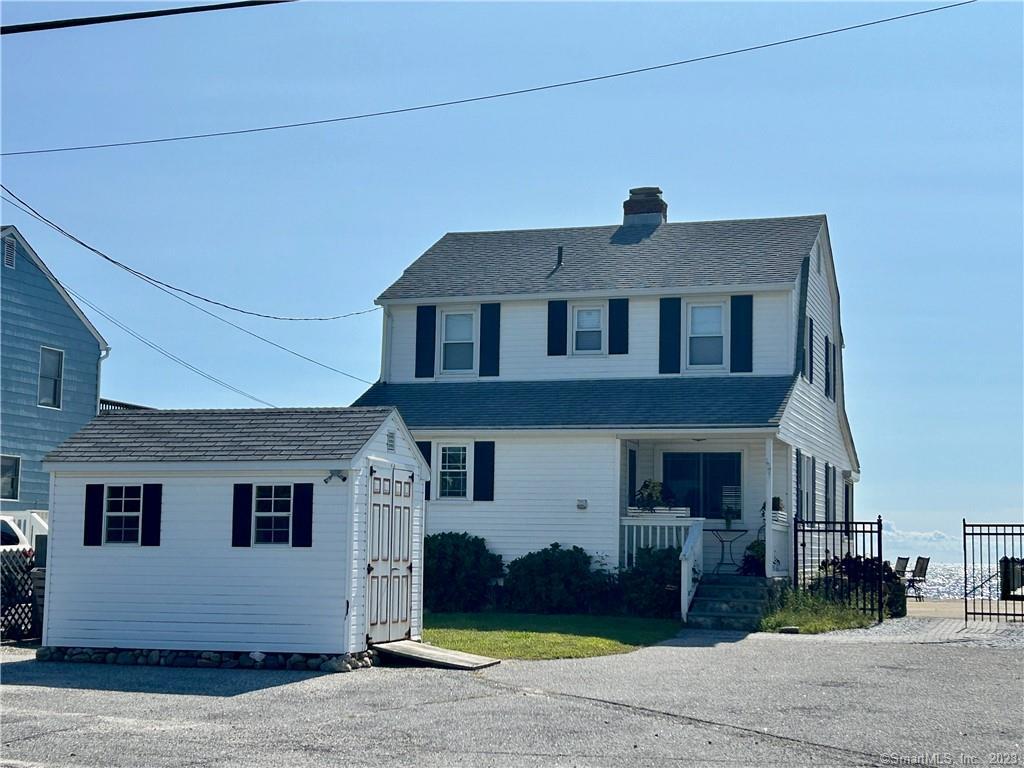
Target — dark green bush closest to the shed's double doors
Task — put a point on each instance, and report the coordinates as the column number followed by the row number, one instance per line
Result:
column 458, row 572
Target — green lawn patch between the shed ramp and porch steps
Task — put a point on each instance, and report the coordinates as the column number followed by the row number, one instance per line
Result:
column 536, row 636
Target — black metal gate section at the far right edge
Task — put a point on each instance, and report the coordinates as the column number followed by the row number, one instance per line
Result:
column 994, row 572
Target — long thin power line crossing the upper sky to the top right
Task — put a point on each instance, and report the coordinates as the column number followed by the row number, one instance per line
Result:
column 488, row 98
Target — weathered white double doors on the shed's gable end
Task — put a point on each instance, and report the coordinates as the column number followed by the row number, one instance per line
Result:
column 391, row 560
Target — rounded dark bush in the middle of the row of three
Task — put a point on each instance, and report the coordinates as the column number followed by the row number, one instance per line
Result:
column 558, row 581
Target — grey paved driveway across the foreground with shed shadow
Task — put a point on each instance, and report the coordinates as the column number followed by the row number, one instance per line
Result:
column 707, row 699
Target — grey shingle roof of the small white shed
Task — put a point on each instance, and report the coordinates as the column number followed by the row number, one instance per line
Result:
column 245, row 435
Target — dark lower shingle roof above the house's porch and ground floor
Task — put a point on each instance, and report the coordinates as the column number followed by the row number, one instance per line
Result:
column 705, row 402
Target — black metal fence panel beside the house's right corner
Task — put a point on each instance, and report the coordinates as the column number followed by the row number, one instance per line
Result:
column 841, row 562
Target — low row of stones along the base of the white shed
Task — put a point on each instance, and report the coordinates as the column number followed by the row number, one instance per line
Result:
column 211, row 659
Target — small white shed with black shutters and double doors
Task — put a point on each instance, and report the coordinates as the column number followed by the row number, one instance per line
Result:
column 277, row 530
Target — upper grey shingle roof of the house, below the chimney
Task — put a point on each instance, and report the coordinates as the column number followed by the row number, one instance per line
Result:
column 603, row 259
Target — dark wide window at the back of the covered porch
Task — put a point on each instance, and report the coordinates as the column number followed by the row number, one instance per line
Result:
column 709, row 484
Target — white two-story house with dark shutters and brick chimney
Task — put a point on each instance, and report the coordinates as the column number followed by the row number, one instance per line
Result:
column 547, row 374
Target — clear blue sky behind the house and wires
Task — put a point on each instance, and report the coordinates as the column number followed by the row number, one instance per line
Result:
column 908, row 136
